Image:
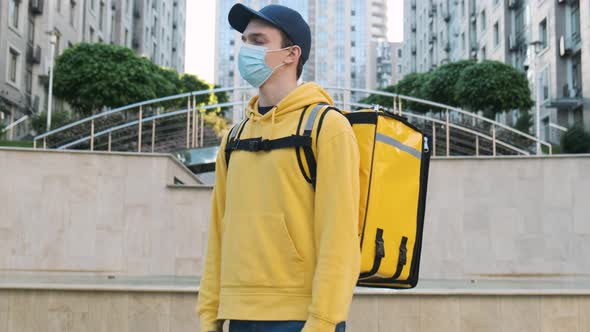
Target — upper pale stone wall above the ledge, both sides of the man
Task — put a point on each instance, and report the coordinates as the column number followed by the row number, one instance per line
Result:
column 95, row 212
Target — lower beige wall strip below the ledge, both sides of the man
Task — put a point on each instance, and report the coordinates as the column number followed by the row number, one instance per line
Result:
column 23, row 311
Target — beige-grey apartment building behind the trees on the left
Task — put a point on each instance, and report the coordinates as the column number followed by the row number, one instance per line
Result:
column 153, row 28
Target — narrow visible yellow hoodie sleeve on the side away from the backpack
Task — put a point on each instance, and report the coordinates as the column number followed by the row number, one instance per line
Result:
column 208, row 300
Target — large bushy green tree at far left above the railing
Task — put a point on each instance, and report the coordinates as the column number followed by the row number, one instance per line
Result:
column 90, row 76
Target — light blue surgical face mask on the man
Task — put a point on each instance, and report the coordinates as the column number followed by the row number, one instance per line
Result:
column 252, row 65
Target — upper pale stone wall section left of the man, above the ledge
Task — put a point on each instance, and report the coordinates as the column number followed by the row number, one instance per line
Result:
column 98, row 213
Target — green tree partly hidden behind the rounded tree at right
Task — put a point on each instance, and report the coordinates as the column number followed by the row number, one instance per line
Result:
column 440, row 87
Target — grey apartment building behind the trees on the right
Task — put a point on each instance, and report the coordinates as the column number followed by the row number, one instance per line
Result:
column 540, row 37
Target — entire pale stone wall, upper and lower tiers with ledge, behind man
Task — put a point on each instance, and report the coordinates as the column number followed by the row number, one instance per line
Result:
column 104, row 242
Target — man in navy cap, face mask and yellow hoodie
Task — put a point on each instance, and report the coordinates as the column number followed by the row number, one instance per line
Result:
column 282, row 255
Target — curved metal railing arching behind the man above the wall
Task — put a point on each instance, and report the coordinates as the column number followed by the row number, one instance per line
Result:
column 456, row 131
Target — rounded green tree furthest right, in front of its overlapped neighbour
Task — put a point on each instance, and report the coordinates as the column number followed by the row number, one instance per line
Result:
column 493, row 87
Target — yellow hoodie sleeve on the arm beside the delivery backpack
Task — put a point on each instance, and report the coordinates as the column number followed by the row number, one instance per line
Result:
column 336, row 227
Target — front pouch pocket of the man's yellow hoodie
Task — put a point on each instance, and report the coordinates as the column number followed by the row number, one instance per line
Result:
column 258, row 251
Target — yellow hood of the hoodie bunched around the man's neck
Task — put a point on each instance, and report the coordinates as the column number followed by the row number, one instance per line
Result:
column 304, row 95
